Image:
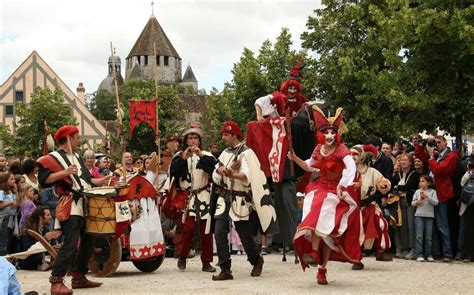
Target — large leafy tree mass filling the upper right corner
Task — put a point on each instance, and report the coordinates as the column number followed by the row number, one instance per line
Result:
column 387, row 62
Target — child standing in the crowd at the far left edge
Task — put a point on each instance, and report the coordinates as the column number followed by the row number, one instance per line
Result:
column 8, row 208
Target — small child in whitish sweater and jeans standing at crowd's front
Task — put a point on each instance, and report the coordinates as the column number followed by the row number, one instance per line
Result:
column 424, row 200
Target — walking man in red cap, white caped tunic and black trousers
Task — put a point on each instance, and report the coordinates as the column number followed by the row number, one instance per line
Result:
column 243, row 189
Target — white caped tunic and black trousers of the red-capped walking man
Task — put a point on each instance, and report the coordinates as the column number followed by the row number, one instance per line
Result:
column 237, row 200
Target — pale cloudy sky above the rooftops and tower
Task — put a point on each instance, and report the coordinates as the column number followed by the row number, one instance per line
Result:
column 74, row 37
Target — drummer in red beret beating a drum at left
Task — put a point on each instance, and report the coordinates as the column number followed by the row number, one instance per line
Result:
column 69, row 176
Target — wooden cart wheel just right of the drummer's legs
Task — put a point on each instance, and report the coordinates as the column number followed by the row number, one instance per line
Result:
column 105, row 257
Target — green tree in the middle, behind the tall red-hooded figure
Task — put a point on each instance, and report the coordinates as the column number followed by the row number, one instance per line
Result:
column 254, row 76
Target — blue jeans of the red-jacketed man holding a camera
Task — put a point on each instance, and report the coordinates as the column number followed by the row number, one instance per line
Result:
column 441, row 233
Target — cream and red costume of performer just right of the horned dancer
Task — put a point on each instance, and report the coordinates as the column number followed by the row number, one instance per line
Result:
column 375, row 225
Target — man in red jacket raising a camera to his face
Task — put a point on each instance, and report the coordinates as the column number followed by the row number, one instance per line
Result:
column 442, row 163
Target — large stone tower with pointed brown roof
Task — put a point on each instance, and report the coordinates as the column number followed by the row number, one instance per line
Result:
column 141, row 61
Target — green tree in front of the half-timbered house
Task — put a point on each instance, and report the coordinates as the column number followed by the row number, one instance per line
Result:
column 45, row 105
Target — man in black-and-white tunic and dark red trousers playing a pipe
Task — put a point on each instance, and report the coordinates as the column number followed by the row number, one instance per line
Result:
column 191, row 169
